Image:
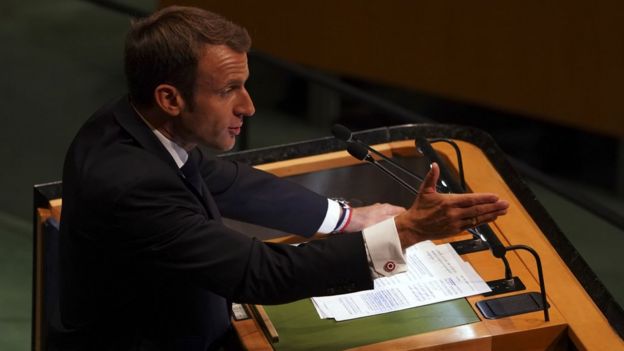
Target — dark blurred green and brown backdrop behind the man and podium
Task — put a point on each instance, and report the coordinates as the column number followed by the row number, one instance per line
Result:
column 546, row 80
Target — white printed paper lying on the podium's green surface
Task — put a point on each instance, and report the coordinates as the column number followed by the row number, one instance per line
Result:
column 435, row 273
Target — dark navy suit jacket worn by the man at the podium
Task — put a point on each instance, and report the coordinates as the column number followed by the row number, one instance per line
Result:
column 133, row 231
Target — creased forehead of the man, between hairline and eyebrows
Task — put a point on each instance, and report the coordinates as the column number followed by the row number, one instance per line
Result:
column 219, row 63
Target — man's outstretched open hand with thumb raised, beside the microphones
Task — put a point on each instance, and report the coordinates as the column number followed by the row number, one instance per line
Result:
column 434, row 215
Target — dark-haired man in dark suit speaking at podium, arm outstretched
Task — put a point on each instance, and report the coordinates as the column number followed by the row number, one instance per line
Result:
column 147, row 263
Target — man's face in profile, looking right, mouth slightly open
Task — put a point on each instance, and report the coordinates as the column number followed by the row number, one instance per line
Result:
column 220, row 99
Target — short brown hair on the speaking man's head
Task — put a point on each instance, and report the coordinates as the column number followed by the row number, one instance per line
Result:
column 166, row 47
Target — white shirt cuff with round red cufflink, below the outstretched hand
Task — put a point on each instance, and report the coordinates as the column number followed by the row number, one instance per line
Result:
column 384, row 249
